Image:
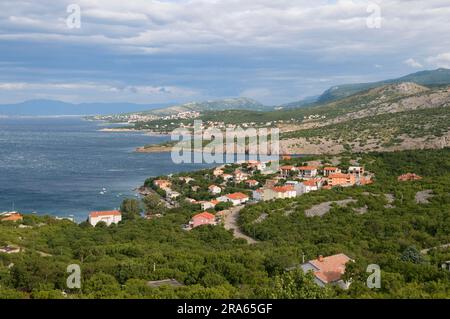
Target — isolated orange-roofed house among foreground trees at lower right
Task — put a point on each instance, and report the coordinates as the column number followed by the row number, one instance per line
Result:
column 328, row 270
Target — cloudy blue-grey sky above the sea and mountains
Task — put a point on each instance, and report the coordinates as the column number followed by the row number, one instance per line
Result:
column 145, row 51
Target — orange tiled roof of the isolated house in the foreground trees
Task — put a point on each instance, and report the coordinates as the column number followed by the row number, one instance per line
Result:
column 330, row 268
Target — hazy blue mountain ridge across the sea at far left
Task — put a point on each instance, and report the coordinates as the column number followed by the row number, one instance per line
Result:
column 52, row 108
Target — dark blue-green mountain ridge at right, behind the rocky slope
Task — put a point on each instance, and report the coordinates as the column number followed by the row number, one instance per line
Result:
column 429, row 78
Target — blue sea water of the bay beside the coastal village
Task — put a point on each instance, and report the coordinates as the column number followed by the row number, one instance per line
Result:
column 59, row 166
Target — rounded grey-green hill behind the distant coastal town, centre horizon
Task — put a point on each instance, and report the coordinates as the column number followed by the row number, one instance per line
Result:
column 216, row 105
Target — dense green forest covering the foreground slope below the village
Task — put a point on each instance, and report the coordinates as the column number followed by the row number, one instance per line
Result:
column 118, row 261
